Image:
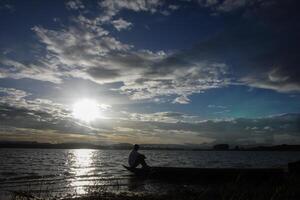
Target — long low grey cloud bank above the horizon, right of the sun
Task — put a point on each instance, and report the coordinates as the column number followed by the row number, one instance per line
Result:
column 176, row 128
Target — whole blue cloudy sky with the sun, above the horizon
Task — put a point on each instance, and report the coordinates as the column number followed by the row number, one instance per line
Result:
column 150, row 71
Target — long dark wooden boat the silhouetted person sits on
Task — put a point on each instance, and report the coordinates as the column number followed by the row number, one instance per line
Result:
column 207, row 174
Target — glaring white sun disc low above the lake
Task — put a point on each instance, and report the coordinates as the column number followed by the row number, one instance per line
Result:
column 86, row 110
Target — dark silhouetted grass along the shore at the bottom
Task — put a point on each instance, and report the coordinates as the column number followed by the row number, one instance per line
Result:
column 289, row 189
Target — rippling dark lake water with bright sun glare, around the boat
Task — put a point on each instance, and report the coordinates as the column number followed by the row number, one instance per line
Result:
column 76, row 171
